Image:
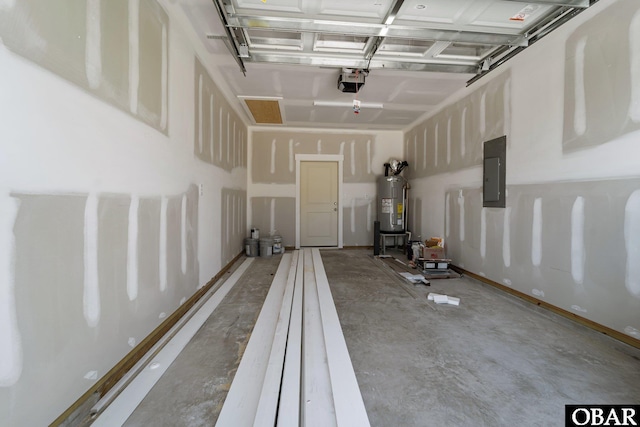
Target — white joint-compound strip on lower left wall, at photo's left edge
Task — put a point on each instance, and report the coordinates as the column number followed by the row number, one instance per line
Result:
column 10, row 340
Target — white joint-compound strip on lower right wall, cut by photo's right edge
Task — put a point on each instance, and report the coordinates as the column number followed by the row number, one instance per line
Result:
column 632, row 243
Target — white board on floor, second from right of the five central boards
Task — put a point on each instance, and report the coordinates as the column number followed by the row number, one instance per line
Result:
column 317, row 399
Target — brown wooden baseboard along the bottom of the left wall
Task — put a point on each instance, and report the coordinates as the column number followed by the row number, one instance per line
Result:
column 112, row 377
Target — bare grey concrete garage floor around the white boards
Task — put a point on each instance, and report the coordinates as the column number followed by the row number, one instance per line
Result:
column 492, row 361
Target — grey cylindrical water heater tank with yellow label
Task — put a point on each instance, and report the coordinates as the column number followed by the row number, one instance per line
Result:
column 392, row 196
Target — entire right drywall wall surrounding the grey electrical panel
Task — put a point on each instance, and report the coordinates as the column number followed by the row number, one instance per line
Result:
column 567, row 234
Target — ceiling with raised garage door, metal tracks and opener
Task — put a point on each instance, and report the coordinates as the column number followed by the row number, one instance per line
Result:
column 412, row 54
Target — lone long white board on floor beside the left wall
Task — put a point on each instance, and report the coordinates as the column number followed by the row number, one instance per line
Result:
column 123, row 406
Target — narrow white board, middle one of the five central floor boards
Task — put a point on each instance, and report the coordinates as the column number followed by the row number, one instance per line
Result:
column 289, row 408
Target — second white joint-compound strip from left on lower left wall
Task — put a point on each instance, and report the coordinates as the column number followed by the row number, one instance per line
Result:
column 91, row 291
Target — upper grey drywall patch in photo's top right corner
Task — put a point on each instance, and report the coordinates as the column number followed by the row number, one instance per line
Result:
column 602, row 98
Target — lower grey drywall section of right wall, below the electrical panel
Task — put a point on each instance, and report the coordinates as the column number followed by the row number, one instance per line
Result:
column 570, row 243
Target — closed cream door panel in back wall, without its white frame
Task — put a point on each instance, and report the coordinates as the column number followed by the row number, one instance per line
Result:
column 318, row 203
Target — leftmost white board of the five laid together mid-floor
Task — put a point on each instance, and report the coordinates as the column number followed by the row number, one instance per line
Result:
column 239, row 408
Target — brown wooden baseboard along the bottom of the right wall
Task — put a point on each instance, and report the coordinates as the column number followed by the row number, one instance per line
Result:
column 569, row 315
